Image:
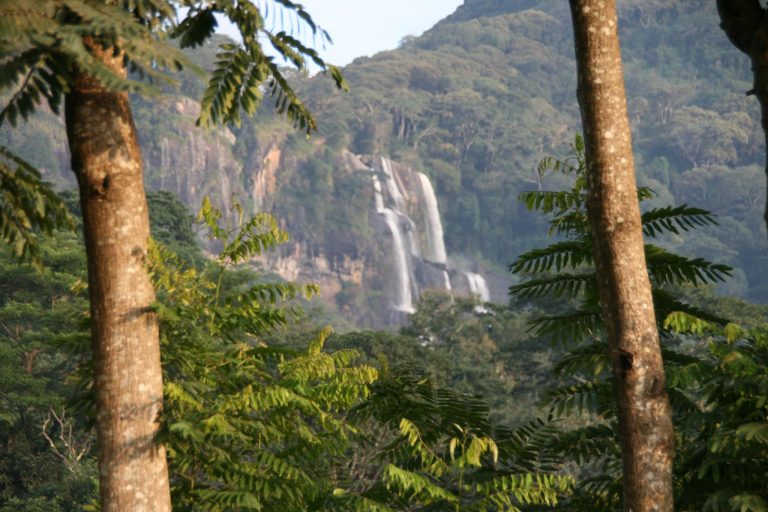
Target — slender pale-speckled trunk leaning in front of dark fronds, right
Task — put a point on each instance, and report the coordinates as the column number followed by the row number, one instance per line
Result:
column 624, row 288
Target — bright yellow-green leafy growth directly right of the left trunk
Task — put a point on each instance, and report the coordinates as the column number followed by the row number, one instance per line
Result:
column 248, row 427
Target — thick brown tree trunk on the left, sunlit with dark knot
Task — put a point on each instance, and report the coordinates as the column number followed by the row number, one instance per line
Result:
column 133, row 472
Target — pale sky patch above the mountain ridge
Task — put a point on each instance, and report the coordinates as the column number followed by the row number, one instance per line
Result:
column 364, row 27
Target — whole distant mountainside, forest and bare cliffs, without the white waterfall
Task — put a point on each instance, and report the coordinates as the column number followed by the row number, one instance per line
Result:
column 474, row 104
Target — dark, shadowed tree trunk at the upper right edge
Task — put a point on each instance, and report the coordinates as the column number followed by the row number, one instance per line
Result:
column 746, row 25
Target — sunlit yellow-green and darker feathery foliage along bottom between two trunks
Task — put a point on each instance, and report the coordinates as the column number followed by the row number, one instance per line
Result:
column 257, row 427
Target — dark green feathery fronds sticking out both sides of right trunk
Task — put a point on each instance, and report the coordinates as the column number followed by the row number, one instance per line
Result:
column 565, row 270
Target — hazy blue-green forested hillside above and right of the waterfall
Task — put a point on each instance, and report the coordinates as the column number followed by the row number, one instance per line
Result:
column 479, row 99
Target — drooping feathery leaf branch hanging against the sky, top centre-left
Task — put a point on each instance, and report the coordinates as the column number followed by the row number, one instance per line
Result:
column 242, row 68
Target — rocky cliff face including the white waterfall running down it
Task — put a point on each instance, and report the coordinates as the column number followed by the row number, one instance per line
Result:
column 367, row 230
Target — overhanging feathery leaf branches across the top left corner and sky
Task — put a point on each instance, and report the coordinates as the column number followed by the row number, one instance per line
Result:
column 46, row 44
